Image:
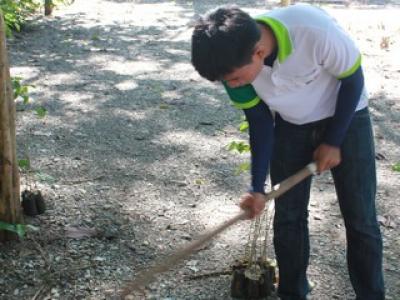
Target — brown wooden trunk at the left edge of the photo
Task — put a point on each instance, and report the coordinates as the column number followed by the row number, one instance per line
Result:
column 10, row 206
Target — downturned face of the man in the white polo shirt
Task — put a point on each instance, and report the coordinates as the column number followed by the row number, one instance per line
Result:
column 246, row 74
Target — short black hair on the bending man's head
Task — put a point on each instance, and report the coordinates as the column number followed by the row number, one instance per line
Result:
column 222, row 41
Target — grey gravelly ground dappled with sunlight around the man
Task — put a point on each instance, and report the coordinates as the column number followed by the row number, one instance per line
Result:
column 134, row 146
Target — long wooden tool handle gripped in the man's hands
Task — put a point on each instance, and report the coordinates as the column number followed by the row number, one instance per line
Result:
column 147, row 276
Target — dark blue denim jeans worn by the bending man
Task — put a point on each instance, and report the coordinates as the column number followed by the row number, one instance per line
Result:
column 355, row 183
